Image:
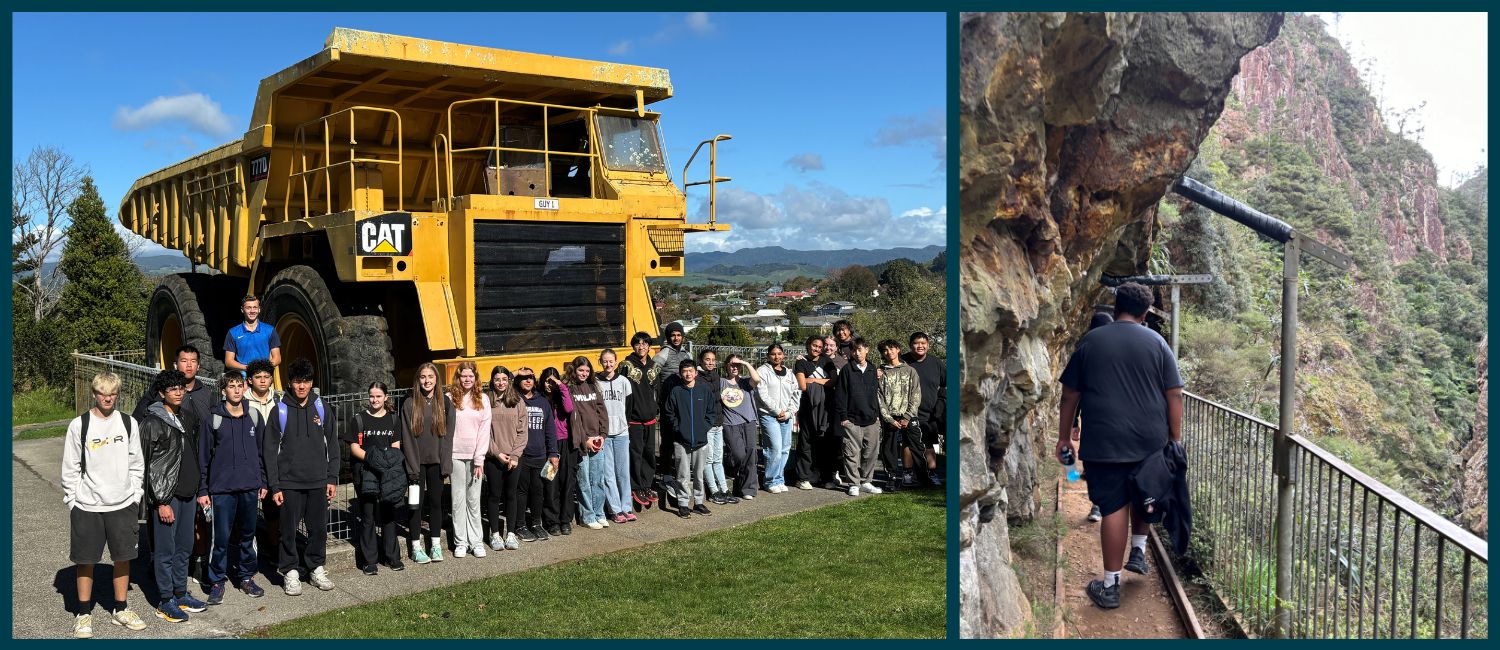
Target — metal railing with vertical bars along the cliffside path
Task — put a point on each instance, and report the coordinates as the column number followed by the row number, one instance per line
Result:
column 1366, row 561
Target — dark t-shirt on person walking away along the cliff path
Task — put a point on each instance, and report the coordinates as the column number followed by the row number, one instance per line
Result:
column 1124, row 372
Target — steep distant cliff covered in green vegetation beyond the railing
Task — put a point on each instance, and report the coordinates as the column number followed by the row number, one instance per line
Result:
column 1387, row 352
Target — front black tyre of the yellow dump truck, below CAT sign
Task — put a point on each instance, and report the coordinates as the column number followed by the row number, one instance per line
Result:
column 347, row 354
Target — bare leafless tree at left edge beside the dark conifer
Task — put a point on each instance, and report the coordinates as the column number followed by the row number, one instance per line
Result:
column 44, row 185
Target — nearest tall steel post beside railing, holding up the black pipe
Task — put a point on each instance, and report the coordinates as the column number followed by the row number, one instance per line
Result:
column 1283, row 451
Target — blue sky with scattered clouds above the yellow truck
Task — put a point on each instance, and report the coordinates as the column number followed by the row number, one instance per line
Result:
column 839, row 119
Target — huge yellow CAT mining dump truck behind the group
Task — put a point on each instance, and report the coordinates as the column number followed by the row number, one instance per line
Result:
column 401, row 200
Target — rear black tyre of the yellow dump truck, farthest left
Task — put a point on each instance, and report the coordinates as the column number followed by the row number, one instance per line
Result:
column 175, row 319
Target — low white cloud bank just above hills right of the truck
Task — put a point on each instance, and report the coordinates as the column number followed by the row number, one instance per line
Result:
column 817, row 217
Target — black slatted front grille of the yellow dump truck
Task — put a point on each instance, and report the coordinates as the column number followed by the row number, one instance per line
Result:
column 548, row 287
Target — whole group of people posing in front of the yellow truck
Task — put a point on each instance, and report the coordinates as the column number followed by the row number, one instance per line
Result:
column 524, row 456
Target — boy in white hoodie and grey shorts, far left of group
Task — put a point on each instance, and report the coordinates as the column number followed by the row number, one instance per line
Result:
column 103, row 487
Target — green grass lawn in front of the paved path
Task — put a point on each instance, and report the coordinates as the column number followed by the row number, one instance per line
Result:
column 869, row 568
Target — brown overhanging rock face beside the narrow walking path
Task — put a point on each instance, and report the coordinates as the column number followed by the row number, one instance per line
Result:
column 1072, row 130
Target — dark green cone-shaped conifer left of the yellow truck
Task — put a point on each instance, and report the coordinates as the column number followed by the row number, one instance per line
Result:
column 103, row 304
